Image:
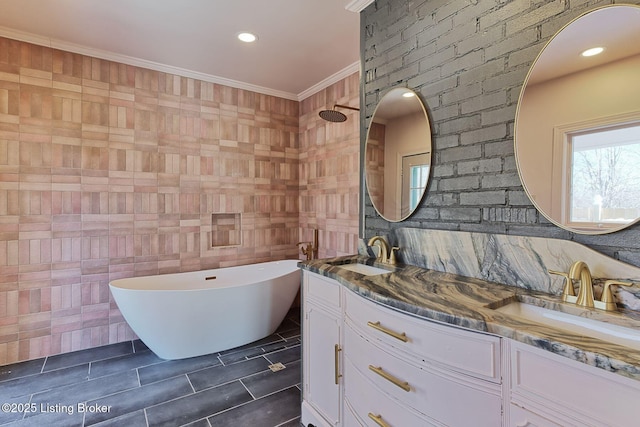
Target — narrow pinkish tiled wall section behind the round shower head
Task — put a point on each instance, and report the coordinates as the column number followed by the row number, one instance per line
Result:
column 330, row 170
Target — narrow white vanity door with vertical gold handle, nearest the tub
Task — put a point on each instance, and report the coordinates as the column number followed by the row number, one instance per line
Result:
column 321, row 351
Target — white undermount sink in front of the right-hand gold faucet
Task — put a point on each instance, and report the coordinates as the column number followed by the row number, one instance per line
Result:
column 575, row 323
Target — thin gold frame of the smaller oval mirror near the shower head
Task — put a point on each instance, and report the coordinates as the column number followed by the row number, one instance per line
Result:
column 428, row 143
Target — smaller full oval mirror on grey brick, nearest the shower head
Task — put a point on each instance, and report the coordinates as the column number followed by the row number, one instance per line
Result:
column 398, row 154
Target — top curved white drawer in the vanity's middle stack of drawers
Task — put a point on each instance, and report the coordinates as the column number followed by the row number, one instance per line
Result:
column 472, row 353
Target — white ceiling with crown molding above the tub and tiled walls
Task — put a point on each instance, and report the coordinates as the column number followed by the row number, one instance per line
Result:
column 303, row 45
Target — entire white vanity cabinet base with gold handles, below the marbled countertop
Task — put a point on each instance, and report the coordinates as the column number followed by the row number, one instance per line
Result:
column 365, row 364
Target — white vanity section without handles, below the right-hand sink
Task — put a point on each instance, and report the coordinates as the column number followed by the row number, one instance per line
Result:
column 550, row 390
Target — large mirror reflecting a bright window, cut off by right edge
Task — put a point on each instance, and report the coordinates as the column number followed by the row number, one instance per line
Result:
column 577, row 129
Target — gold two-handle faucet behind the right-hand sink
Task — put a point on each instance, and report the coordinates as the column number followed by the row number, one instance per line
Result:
column 580, row 271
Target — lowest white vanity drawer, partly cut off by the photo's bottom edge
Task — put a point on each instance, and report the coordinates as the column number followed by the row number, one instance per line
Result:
column 363, row 398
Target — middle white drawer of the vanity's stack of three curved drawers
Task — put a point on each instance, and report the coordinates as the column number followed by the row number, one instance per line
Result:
column 439, row 395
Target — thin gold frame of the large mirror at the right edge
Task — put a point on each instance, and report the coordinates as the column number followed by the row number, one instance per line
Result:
column 518, row 158
